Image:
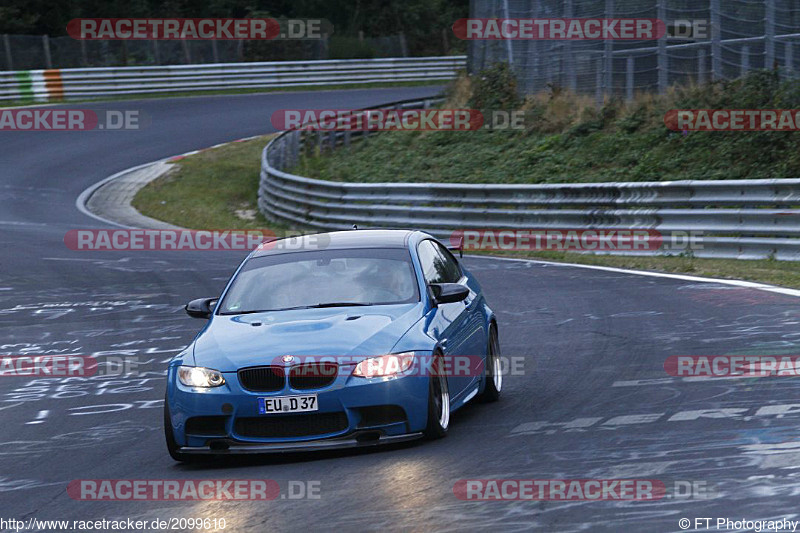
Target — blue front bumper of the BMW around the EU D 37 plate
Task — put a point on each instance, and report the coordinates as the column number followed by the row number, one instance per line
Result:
column 345, row 418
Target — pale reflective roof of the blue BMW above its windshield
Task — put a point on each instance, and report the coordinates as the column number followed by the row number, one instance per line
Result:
column 337, row 240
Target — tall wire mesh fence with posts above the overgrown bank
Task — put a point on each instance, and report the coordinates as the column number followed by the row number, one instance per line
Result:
column 706, row 39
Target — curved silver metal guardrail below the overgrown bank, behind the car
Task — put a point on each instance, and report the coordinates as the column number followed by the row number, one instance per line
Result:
column 742, row 219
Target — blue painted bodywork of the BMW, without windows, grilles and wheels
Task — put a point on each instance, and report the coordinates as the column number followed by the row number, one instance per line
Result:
column 229, row 343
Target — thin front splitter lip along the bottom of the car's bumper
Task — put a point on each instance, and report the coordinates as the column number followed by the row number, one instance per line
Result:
column 356, row 440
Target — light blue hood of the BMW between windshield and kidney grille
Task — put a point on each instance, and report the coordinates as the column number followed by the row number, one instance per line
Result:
column 232, row 342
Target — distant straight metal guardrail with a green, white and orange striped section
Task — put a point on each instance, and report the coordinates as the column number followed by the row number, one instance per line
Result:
column 45, row 85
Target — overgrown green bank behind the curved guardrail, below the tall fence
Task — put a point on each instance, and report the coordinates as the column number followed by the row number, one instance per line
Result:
column 567, row 139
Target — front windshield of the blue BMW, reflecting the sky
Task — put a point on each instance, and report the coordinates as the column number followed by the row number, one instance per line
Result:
column 328, row 278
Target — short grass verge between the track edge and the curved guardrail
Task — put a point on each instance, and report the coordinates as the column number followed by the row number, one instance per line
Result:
column 207, row 189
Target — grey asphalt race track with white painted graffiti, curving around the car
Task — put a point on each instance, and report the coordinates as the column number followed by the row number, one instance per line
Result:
column 592, row 401
